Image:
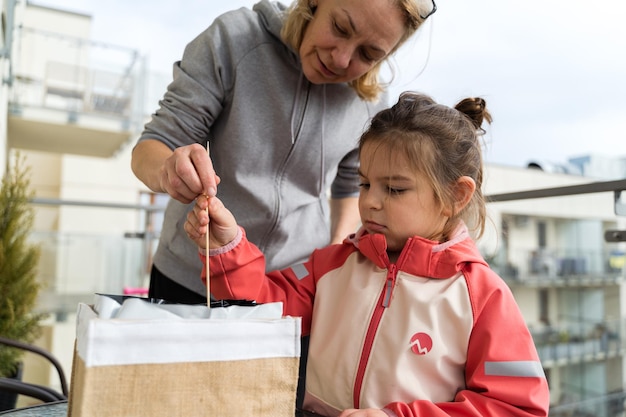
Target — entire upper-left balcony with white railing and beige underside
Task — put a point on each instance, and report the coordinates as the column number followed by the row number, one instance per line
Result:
column 69, row 103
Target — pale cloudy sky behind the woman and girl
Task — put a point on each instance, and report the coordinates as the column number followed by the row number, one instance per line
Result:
column 553, row 72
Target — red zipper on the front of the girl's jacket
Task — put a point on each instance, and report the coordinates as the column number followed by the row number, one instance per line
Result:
column 383, row 302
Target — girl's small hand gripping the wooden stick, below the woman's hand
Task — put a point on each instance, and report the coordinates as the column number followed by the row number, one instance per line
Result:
column 223, row 226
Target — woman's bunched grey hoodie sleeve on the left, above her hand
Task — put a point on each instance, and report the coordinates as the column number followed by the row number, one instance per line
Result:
column 202, row 81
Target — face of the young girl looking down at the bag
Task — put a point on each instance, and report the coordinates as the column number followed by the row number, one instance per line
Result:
column 396, row 201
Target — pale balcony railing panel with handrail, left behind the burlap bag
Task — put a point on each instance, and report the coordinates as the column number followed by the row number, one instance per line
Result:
column 74, row 266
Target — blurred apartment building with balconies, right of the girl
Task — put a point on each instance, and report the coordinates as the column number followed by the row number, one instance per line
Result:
column 568, row 280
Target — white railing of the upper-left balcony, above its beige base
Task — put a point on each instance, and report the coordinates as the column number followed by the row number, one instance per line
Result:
column 77, row 76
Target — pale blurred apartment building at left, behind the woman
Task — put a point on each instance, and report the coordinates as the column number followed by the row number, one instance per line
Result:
column 73, row 108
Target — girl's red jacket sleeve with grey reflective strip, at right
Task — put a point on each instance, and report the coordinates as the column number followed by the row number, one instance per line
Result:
column 503, row 373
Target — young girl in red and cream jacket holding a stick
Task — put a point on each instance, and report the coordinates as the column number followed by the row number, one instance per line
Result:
column 405, row 317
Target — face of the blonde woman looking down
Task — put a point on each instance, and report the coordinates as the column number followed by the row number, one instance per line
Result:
column 346, row 38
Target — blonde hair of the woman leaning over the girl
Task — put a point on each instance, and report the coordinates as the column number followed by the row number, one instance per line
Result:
column 368, row 86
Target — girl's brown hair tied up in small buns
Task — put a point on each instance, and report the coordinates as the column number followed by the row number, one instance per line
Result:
column 440, row 142
